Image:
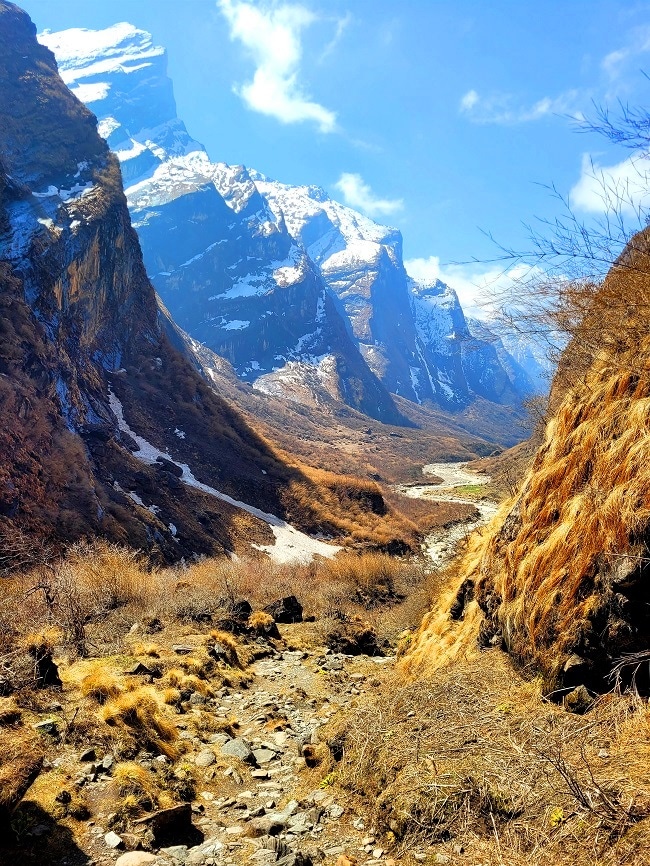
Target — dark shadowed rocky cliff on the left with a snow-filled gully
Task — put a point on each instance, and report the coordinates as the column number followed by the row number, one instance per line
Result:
column 107, row 428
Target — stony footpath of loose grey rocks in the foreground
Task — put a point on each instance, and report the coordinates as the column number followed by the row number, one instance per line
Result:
column 261, row 799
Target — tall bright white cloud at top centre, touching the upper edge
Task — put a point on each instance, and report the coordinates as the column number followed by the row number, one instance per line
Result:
column 271, row 34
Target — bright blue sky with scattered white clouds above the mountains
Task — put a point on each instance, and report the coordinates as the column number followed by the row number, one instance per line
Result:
column 448, row 119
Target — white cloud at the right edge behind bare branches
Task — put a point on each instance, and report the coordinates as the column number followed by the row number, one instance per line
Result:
column 623, row 188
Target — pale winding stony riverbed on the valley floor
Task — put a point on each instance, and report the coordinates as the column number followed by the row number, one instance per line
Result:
column 441, row 545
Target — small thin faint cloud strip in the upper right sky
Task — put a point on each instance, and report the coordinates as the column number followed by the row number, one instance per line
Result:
column 501, row 108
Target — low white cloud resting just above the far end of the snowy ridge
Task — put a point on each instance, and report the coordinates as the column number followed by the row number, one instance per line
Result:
column 480, row 289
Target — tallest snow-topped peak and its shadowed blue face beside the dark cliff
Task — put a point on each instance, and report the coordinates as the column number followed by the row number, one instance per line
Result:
column 227, row 269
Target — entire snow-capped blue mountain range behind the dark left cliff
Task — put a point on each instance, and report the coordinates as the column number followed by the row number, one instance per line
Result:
column 282, row 281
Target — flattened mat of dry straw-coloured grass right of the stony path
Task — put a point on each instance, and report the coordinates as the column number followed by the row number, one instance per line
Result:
column 476, row 757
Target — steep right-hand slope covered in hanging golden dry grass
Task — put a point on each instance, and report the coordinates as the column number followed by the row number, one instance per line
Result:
column 560, row 578
